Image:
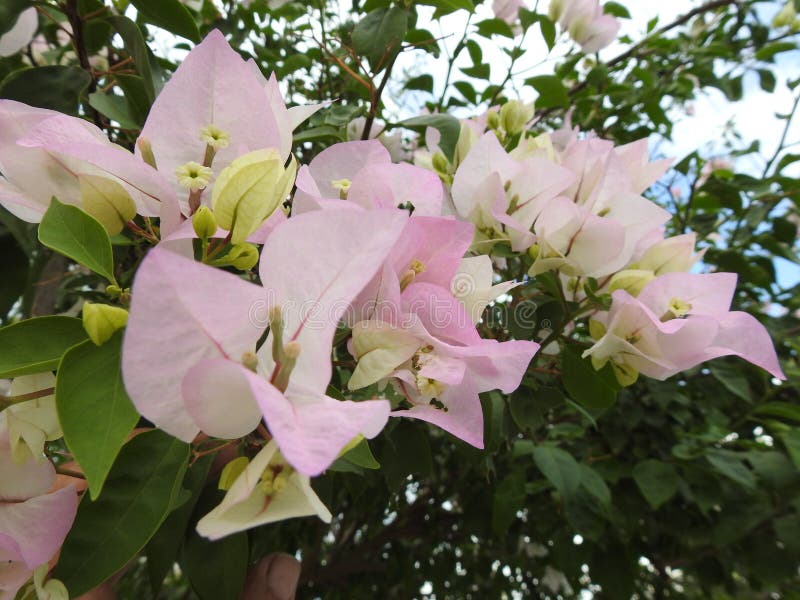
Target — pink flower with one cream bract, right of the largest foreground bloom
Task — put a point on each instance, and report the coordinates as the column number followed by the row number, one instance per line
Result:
column 439, row 376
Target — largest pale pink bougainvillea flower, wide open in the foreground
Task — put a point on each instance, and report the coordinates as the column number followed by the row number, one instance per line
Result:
column 312, row 267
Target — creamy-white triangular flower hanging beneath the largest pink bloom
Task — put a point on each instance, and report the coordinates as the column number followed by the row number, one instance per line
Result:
column 268, row 490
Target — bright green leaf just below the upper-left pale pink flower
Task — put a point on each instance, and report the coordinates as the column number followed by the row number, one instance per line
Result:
column 71, row 232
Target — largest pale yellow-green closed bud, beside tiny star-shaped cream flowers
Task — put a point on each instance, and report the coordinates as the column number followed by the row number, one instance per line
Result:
column 249, row 190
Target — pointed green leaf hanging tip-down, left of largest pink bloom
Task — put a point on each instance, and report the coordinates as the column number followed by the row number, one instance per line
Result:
column 93, row 407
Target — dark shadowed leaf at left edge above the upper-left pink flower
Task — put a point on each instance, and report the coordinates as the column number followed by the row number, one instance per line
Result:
column 55, row 87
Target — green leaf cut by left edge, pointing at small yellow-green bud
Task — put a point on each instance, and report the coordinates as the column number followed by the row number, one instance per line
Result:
column 36, row 345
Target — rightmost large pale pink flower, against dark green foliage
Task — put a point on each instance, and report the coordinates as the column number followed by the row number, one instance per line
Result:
column 678, row 321
